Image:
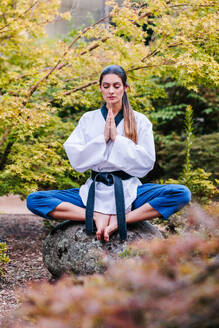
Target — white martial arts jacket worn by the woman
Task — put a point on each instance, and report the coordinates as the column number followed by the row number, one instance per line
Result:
column 86, row 149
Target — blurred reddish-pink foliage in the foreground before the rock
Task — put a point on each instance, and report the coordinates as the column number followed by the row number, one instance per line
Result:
column 170, row 283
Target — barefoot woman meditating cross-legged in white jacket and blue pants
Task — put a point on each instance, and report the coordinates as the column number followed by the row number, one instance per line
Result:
column 117, row 144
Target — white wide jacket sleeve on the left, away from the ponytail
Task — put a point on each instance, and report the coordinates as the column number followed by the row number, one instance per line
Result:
column 84, row 154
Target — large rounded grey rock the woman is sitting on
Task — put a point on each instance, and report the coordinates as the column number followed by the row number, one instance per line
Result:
column 69, row 249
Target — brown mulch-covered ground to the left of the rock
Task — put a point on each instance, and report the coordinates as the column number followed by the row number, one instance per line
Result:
column 24, row 234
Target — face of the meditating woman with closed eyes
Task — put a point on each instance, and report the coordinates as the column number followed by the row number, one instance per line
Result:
column 112, row 89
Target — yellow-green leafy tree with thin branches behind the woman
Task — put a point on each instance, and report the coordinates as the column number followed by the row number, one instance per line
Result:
column 46, row 86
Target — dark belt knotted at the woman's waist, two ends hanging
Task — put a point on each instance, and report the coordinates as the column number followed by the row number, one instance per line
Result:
column 108, row 178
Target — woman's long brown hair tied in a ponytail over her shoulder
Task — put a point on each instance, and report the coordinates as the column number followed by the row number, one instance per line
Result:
column 130, row 127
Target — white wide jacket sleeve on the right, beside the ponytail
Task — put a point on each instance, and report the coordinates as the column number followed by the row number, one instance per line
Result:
column 135, row 159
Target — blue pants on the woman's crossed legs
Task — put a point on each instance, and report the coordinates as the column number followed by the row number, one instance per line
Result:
column 166, row 199
